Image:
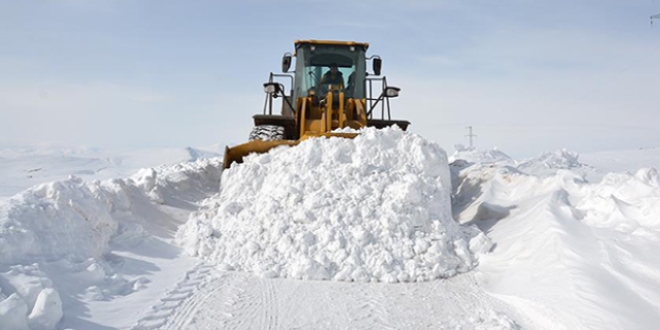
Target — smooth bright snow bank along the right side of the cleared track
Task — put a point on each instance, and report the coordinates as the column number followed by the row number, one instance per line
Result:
column 568, row 253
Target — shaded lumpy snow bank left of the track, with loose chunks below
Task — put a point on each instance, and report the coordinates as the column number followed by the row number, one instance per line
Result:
column 56, row 235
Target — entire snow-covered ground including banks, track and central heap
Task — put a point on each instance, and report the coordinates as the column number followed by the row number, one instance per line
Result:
column 559, row 241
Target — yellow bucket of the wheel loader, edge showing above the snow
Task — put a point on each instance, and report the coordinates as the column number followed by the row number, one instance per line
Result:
column 236, row 154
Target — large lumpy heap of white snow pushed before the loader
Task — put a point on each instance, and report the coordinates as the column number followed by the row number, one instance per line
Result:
column 373, row 208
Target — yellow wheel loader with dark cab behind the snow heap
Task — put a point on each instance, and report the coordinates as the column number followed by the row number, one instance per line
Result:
column 330, row 88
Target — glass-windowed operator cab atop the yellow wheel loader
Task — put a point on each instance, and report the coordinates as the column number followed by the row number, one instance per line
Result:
column 314, row 59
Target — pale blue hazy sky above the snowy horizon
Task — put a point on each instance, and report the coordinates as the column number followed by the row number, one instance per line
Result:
column 529, row 76
